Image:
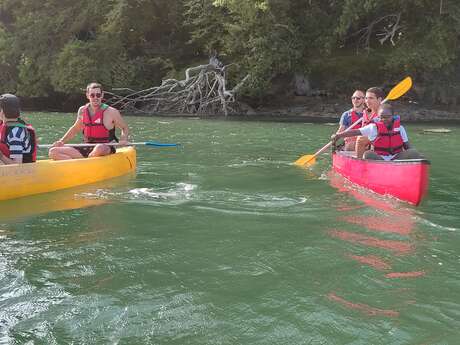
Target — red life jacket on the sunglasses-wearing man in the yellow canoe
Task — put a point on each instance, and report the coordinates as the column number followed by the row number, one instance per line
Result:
column 94, row 130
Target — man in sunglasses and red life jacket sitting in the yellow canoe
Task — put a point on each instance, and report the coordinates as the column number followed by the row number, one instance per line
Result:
column 98, row 122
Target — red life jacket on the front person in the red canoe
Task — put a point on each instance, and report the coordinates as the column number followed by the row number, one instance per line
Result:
column 388, row 141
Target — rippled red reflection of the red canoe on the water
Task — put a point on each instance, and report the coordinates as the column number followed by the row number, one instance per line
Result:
column 382, row 218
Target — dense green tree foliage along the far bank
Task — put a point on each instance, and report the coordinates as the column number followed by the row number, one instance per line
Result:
column 60, row 45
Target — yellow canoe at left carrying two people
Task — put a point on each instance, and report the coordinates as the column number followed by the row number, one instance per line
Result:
column 18, row 180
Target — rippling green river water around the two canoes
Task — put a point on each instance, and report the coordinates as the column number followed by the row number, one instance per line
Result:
column 224, row 241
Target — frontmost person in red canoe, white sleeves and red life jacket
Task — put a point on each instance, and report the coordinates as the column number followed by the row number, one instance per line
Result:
column 388, row 138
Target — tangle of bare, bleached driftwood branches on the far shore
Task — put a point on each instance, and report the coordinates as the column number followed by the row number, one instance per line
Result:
column 203, row 92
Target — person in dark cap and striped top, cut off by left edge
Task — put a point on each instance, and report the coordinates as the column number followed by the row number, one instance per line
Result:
column 17, row 138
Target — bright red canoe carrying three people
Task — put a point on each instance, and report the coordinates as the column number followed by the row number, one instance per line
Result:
column 406, row 180
